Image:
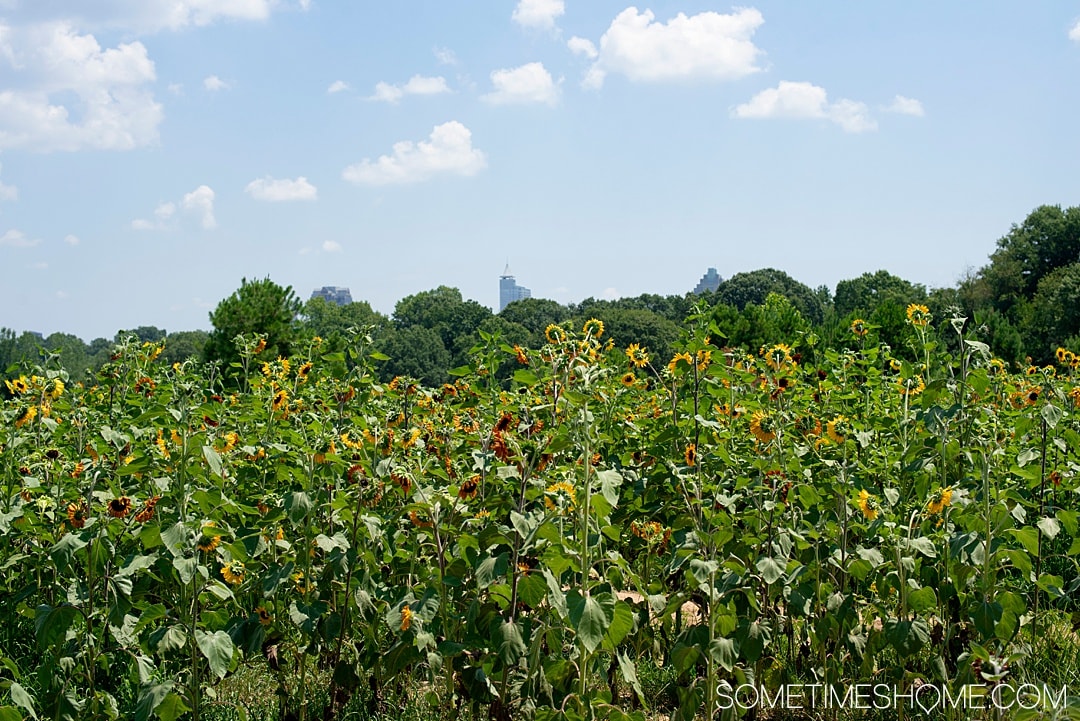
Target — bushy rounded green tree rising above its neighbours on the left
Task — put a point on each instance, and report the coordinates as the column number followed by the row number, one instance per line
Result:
column 258, row 307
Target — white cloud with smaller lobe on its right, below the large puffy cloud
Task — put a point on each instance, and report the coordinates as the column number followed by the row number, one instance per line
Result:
column 803, row 100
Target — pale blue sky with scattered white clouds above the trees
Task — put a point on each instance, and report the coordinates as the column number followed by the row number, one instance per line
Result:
column 154, row 153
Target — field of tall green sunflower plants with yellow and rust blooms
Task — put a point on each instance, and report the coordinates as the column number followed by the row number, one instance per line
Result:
column 522, row 540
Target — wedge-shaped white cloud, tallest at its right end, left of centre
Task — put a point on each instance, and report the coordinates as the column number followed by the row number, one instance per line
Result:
column 448, row 152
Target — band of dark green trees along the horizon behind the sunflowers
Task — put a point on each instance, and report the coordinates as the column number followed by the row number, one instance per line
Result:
column 1024, row 303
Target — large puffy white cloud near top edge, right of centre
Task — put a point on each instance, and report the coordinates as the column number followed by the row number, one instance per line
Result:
column 709, row 46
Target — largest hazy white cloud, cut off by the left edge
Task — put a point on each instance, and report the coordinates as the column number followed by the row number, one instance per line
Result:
column 64, row 92
